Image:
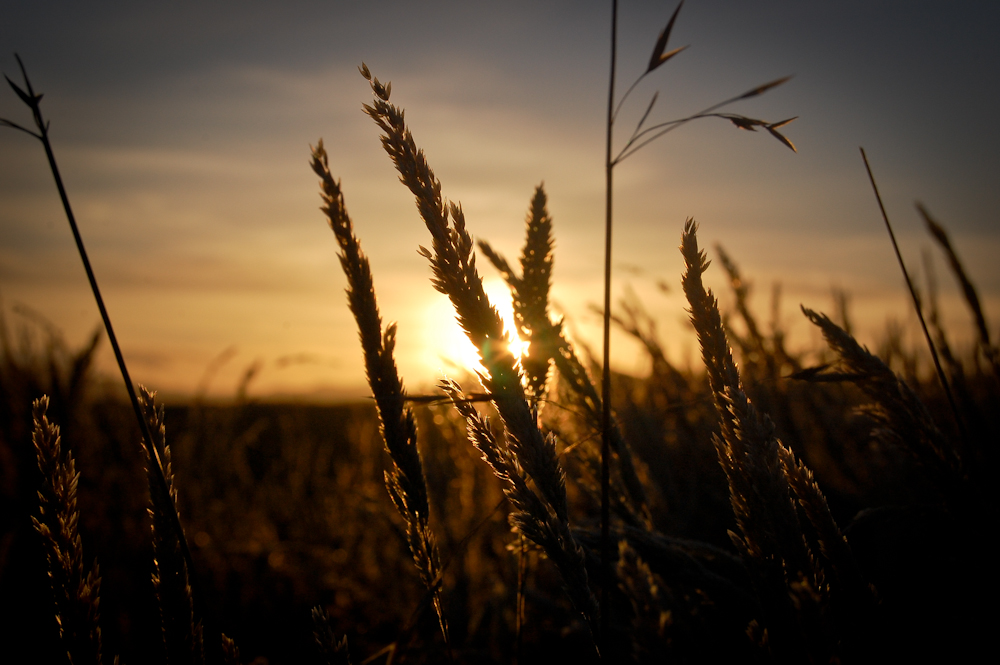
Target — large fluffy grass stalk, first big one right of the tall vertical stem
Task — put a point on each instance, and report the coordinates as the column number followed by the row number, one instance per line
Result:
column 767, row 486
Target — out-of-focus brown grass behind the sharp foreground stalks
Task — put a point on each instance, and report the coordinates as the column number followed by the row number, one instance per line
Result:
column 285, row 507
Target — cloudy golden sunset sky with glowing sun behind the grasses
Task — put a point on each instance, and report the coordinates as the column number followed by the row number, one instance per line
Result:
column 183, row 132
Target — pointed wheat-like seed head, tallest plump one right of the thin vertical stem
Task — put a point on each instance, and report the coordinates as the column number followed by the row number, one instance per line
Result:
column 788, row 578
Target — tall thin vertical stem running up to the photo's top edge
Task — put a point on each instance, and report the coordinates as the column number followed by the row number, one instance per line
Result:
column 609, row 166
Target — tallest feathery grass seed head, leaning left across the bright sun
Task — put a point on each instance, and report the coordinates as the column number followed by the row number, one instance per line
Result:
column 542, row 514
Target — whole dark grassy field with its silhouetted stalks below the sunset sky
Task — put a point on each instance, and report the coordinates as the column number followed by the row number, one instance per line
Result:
column 772, row 503
